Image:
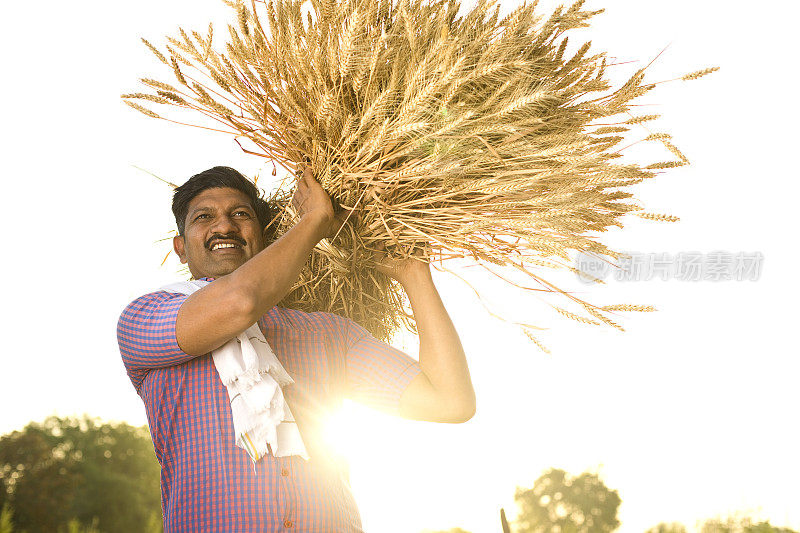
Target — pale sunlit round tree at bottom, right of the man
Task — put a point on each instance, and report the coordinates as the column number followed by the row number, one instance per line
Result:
column 558, row 503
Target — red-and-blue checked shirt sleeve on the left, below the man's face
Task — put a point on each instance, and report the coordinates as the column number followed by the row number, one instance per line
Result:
column 146, row 334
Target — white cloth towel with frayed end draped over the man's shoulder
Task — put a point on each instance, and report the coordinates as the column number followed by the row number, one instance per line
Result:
column 254, row 376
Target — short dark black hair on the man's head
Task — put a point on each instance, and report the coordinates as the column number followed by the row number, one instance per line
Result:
column 218, row 177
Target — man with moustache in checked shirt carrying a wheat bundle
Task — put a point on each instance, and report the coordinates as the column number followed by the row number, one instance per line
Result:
column 225, row 465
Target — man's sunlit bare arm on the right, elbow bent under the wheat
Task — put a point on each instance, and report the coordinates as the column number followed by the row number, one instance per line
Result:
column 443, row 391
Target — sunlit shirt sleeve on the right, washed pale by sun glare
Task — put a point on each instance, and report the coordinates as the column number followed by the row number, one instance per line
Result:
column 376, row 373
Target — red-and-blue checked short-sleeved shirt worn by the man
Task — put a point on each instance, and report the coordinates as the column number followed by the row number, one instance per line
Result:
column 207, row 482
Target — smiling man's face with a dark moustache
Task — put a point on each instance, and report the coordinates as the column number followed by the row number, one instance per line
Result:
column 221, row 233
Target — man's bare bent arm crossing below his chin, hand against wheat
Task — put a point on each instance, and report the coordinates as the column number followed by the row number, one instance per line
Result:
column 234, row 302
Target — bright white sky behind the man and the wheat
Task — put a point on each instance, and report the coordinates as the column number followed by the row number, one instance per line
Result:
column 689, row 414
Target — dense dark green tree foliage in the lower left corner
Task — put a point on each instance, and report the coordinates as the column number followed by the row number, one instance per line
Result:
column 68, row 473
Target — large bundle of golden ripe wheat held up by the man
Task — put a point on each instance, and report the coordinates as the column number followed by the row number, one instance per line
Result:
column 444, row 135
